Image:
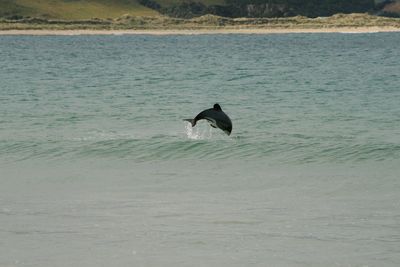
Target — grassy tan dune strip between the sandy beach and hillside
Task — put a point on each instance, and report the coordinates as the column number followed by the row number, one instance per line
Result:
column 207, row 22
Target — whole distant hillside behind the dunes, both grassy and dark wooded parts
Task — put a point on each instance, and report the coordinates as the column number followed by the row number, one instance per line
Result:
column 103, row 9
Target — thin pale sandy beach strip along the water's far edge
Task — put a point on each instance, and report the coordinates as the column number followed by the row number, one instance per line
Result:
column 200, row 31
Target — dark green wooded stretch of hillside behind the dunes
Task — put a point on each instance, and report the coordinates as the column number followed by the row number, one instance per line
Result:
column 273, row 8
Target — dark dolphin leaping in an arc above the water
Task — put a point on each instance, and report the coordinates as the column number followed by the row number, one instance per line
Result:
column 216, row 117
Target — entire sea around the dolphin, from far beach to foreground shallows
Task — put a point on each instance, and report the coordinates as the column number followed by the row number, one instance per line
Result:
column 98, row 168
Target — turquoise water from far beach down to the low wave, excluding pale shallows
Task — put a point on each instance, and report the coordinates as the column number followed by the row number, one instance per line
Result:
column 292, row 98
